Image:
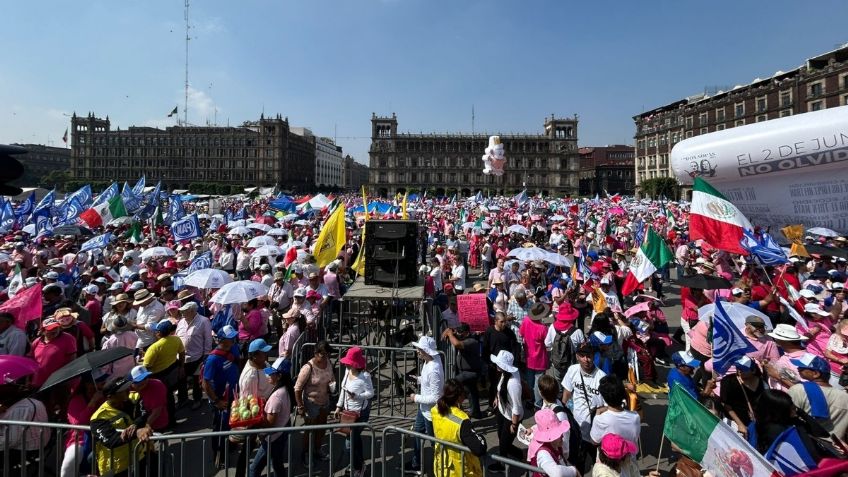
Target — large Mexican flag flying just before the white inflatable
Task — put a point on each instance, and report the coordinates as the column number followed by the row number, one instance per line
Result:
column 715, row 219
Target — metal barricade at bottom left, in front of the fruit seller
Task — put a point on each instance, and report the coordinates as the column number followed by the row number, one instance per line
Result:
column 190, row 453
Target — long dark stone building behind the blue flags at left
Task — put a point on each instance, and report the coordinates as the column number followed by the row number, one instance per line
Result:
column 257, row 153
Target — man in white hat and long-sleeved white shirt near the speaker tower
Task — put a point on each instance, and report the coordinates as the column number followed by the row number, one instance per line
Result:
column 432, row 384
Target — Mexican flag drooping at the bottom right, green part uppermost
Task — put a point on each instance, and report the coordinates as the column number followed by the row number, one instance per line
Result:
column 711, row 443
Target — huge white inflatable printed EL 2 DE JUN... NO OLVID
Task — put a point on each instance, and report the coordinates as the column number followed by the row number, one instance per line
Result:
column 790, row 170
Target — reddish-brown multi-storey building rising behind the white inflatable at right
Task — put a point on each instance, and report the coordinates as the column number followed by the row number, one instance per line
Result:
column 820, row 83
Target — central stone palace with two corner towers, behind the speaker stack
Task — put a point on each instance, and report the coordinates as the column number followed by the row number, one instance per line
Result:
column 448, row 164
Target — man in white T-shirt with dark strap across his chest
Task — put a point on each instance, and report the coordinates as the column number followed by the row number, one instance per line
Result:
column 581, row 383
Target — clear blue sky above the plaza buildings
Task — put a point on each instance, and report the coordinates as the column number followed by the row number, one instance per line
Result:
column 328, row 64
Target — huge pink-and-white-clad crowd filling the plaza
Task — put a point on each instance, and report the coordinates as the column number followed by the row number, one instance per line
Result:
column 564, row 345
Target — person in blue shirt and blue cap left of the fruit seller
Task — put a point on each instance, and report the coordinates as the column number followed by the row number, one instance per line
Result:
column 220, row 377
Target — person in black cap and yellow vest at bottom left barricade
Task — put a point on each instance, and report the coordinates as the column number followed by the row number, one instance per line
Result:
column 118, row 426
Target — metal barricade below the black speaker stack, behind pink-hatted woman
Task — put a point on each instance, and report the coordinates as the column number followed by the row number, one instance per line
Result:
column 388, row 367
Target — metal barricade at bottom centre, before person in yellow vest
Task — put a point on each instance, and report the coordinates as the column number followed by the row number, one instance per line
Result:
column 393, row 459
